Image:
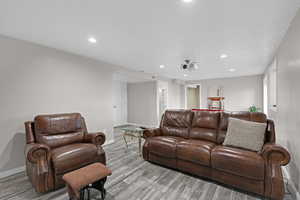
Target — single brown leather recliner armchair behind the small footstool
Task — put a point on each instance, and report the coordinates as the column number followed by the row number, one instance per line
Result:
column 57, row 144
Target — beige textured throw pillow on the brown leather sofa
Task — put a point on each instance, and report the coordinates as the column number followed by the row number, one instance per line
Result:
column 245, row 134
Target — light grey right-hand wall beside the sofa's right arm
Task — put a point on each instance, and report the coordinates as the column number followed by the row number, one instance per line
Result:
column 288, row 95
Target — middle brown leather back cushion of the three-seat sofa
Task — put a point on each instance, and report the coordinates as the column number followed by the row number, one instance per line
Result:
column 205, row 125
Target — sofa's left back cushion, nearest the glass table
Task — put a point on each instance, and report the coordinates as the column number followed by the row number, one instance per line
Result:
column 176, row 123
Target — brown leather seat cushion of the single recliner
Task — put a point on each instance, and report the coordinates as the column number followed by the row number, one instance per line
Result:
column 74, row 156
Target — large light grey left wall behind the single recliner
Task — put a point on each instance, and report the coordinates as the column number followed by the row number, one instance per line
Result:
column 39, row 80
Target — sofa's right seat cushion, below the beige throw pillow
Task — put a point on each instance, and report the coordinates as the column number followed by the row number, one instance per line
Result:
column 239, row 162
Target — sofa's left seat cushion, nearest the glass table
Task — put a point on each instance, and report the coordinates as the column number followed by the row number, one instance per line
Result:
column 164, row 145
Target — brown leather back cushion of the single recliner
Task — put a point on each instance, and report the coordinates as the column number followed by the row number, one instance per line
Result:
column 59, row 129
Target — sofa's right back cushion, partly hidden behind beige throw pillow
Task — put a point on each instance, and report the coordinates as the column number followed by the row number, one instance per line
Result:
column 248, row 116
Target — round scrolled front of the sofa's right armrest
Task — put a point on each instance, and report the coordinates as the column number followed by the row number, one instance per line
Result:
column 275, row 154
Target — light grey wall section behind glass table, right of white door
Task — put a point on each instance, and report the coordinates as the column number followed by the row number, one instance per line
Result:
column 142, row 103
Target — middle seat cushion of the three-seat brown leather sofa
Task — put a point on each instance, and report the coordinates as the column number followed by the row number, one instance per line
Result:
column 197, row 151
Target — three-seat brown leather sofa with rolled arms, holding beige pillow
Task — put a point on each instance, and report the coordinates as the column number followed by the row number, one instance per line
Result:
column 191, row 141
